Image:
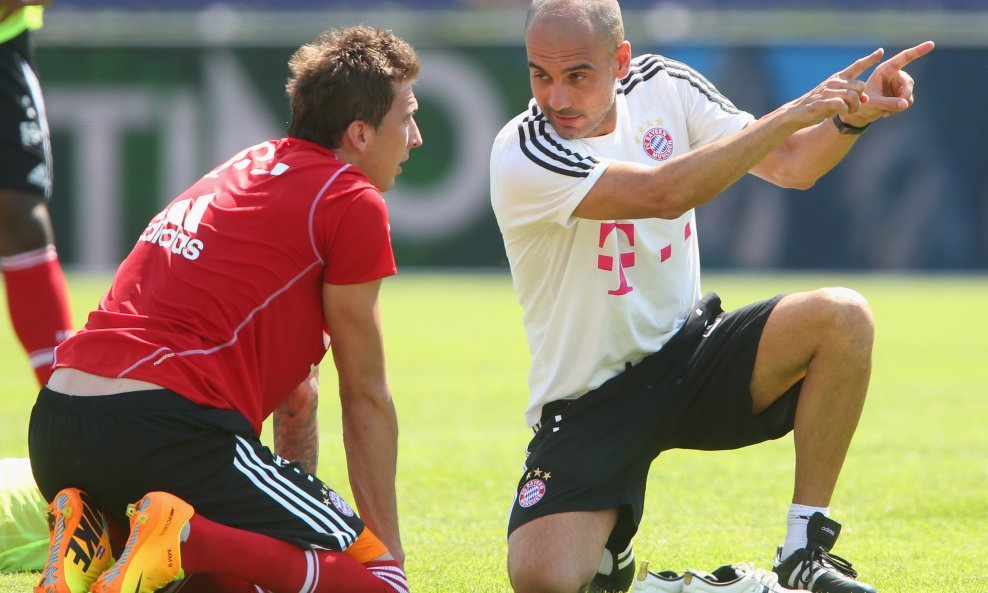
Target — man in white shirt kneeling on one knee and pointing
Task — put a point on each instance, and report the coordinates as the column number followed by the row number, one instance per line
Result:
column 594, row 188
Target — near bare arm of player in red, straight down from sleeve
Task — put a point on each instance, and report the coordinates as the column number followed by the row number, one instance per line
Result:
column 370, row 425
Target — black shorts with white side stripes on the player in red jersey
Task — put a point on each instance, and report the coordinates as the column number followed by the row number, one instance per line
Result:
column 120, row 447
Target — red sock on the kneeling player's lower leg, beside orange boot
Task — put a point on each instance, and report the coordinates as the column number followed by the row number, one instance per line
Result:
column 276, row 565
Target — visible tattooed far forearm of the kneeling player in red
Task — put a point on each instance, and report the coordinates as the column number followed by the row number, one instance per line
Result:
column 296, row 426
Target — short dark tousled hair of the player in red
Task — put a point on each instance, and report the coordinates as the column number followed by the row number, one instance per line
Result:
column 346, row 75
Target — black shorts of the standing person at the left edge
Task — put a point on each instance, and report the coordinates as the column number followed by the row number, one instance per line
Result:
column 25, row 149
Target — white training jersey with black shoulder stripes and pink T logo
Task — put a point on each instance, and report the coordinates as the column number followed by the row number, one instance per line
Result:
column 597, row 295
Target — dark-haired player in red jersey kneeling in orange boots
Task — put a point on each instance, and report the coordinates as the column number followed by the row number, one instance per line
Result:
column 225, row 305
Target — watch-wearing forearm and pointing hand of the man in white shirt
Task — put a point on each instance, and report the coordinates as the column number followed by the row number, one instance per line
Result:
column 810, row 153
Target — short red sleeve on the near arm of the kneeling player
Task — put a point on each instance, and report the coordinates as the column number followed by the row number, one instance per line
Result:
column 357, row 242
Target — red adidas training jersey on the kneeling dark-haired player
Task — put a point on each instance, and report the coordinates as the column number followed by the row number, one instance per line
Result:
column 221, row 298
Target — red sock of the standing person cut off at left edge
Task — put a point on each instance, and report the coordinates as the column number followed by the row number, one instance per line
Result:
column 38, row 303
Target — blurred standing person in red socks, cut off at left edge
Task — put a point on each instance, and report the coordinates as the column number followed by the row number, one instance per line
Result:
column 36, row 294
